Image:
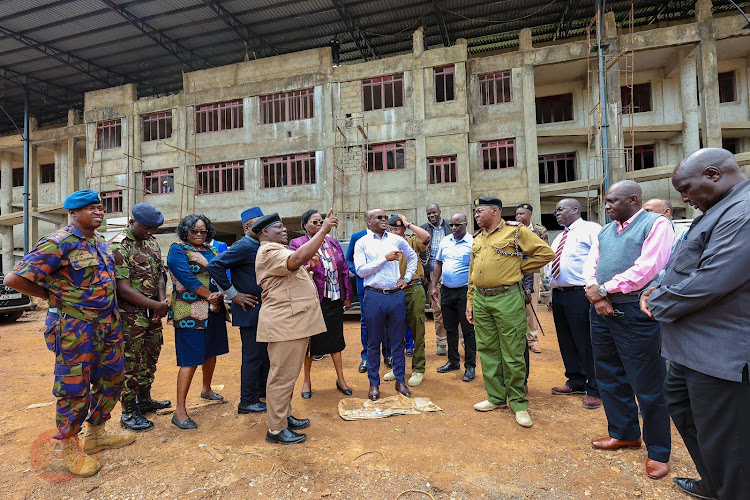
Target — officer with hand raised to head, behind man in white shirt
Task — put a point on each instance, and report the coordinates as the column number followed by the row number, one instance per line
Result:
column 414, row 293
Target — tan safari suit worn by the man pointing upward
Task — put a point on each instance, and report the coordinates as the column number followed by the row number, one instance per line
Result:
column 289, row 316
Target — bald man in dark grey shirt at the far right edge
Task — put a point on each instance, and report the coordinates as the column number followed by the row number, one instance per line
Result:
column 701, row 305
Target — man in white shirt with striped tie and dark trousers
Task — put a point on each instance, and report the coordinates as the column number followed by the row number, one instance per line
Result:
column 570, row 307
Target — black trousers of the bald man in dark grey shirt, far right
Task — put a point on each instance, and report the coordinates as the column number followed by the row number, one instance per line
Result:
column 711, row 415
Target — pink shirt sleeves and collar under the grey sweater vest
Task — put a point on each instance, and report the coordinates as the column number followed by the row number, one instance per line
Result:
column 654, row 256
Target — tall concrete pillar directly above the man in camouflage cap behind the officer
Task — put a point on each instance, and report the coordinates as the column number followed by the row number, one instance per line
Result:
column 530, row 150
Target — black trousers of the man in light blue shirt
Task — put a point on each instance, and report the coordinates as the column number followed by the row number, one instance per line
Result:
column 453, row 304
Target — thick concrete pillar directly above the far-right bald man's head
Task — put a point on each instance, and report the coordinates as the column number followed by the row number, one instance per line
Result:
column 708, row 77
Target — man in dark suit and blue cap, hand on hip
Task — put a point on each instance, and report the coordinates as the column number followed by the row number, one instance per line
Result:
column 244, row 292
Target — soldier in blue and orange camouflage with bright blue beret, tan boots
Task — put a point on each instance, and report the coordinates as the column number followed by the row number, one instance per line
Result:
column 73, row 268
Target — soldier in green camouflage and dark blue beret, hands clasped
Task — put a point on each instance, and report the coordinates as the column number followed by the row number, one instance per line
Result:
column 141, row 293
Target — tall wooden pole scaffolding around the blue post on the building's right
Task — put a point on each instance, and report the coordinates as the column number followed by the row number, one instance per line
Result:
column 609, row 120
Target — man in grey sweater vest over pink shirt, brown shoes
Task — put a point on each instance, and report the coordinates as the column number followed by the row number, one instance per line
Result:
column 627, row 255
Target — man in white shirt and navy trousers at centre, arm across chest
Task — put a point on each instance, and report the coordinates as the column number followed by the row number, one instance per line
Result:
column 376, row 257
